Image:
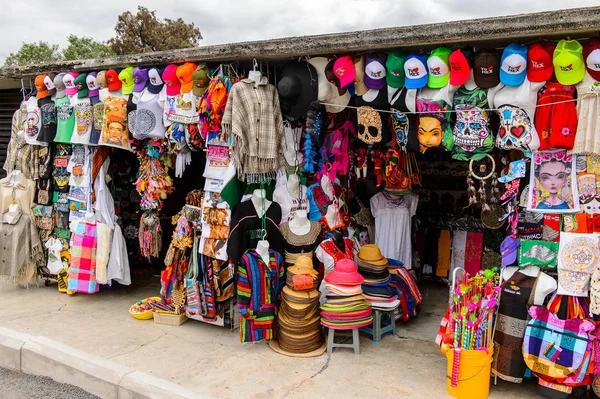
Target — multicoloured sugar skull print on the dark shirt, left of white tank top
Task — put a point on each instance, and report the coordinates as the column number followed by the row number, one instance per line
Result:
column 471, row 128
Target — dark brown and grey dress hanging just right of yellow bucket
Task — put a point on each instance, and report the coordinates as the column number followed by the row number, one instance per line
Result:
column 515, row 299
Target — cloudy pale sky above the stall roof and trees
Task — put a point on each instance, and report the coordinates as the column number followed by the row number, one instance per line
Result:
column 227, row 21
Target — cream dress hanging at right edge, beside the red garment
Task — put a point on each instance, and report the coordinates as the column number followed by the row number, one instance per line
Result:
column 587, row 140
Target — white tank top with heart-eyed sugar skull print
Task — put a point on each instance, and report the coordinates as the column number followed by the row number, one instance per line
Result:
column 516, row 108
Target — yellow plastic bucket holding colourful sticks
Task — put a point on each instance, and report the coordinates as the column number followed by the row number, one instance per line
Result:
column 474, row 373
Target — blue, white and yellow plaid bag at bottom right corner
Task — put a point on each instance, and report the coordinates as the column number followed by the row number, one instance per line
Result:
column 556, row 348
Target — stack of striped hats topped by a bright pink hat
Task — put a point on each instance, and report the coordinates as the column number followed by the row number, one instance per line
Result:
column 346, row 308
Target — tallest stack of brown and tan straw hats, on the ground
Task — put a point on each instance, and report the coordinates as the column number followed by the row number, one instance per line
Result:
column 298, row 328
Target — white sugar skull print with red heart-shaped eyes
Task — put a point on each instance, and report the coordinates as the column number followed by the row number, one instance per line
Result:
column 515, row 129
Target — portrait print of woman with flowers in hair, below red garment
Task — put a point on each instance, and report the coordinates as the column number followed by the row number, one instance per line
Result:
column 553, row 183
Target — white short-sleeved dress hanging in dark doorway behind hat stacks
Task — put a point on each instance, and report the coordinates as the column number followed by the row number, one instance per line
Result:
column 393, row 215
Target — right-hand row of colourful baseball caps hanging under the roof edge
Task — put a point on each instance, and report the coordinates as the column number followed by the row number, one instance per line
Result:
column 568, row 61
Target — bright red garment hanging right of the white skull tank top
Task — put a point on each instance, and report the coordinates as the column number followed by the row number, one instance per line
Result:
column 556, row 124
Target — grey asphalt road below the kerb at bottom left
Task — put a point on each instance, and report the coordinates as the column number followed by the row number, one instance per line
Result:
column 15, row 385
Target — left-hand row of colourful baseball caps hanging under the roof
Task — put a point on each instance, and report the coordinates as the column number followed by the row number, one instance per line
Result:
column 184, row 78
